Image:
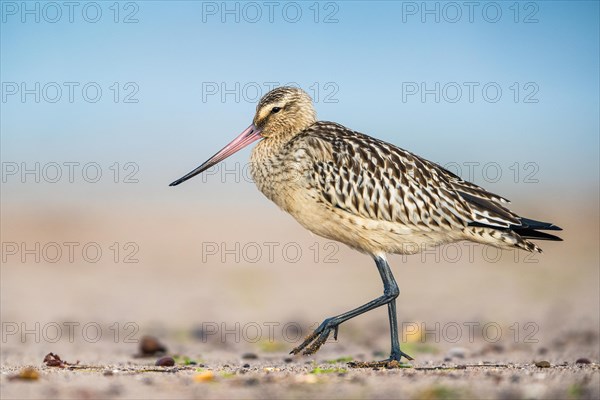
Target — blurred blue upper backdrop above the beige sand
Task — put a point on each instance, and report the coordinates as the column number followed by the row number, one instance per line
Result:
column 359, row 64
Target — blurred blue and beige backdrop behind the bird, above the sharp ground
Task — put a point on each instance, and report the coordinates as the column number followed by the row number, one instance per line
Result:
column 105, row 103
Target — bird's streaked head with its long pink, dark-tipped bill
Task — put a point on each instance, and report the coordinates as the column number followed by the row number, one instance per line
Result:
column 280, row 114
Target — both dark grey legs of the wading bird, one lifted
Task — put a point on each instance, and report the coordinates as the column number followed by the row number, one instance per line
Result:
column 390, row 291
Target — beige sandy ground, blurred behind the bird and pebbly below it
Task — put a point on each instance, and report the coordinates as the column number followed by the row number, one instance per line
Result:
column 547, row 308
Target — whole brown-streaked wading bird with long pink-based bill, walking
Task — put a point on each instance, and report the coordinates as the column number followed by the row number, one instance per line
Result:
column 368, row 194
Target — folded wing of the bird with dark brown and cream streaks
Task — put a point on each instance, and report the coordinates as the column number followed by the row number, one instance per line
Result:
column 379, row 181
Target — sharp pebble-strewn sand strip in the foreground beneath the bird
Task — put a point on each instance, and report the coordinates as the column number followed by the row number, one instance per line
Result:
column 498, row 374
